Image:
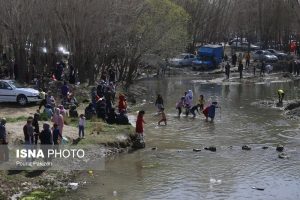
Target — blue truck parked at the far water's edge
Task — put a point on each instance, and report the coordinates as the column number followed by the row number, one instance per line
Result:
column 209, row 57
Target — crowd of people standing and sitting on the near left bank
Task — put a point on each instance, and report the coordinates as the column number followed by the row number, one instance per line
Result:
column 103, row 98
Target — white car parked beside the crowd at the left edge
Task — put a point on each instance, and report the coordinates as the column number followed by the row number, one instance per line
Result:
column 11, row 91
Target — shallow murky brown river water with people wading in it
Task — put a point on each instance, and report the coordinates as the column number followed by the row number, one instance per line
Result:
column 174, row 171
